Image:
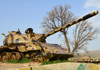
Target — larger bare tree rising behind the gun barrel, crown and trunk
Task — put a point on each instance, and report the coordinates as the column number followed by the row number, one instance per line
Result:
column 58, row 17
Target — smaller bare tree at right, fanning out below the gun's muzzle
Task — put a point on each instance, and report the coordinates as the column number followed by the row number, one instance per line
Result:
column 82, row 33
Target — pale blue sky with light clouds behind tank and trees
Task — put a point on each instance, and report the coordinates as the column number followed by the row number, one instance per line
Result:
column 23, row 14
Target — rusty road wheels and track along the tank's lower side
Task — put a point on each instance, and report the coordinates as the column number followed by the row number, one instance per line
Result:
column 5, row 56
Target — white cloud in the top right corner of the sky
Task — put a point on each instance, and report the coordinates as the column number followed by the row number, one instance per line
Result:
column 93, row 3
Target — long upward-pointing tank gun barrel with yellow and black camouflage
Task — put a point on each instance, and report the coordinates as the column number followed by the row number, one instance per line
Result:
column 72, row 23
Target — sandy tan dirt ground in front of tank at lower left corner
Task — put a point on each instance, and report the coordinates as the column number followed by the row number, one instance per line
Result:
column 5, row 66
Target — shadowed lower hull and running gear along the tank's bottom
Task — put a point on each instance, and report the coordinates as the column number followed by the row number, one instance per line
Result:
column 12, row 53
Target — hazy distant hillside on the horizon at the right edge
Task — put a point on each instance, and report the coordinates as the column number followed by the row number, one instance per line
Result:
column 92, row 54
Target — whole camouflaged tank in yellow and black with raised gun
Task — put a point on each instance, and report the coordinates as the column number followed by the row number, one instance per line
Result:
column 33, row 46
